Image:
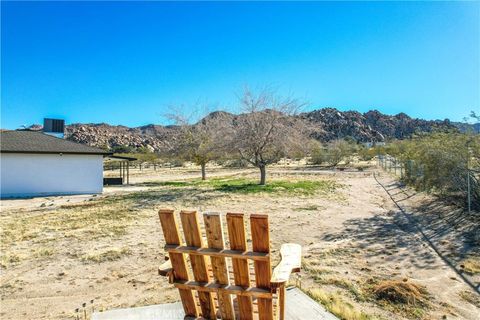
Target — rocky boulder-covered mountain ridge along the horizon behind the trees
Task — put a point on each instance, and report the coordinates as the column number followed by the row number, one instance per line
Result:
column 324, row 124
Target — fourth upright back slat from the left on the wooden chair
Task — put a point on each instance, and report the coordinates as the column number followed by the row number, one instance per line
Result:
column 236, row 233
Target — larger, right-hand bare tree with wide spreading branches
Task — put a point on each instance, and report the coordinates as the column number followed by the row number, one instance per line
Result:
column 264, row 133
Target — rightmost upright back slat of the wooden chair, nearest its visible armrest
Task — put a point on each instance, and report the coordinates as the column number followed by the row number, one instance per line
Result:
column 261, row 243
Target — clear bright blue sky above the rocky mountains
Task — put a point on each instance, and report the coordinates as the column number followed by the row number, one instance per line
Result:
column 125, row 62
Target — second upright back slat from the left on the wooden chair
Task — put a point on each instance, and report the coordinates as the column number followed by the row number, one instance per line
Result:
column 193, row 237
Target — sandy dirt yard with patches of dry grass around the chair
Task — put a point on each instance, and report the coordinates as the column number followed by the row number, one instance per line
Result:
column 357, row 261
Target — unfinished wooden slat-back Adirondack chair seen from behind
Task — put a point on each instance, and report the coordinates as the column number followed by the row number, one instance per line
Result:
column 213, row 292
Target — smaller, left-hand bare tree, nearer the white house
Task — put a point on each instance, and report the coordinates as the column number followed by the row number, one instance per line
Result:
column 198, row 142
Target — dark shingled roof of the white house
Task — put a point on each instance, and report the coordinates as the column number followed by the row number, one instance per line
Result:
column 38, row 142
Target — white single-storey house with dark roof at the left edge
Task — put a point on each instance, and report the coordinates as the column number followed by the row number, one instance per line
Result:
column 33, row 163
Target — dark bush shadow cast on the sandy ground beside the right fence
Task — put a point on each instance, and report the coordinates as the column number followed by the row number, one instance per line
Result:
column 405, row 234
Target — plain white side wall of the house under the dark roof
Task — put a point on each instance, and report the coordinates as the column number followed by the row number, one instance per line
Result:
column 24, row 175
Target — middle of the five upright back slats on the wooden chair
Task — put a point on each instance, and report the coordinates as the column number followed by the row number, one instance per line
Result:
column 214, row 231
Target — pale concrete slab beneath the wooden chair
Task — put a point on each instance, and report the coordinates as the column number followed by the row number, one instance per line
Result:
column 299, row 306
